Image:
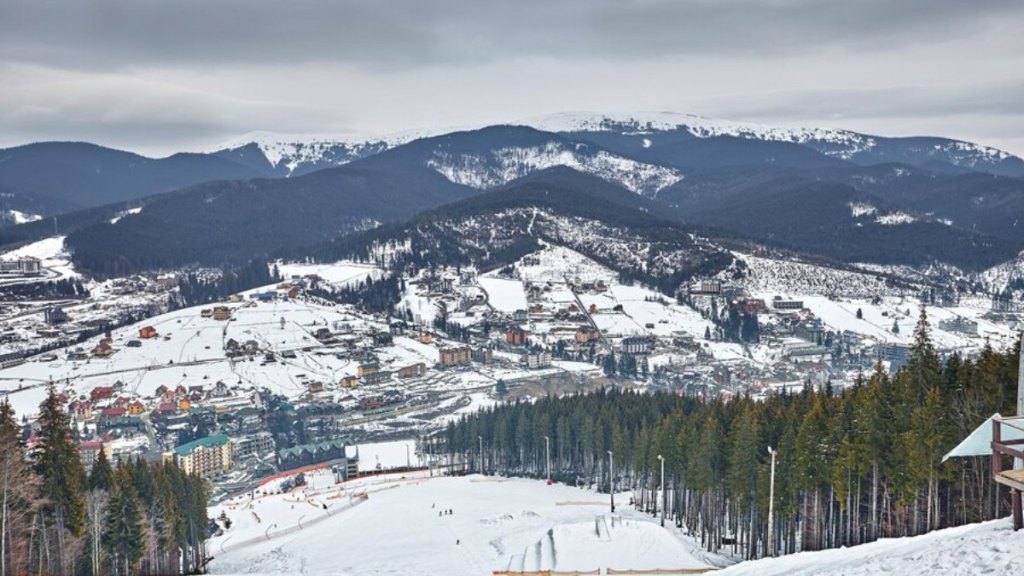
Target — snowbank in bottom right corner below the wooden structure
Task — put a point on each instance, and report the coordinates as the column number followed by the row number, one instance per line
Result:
column 990, row 548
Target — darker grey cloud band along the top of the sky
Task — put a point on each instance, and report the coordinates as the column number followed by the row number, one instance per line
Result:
column 389, row 34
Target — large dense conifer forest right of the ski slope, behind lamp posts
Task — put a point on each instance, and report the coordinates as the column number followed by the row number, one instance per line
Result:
column 852, row 466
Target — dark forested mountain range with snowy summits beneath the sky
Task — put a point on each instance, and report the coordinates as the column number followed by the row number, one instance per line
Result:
column 834, row 194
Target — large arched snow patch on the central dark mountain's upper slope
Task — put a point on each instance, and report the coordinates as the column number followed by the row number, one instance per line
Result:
column 504, row 166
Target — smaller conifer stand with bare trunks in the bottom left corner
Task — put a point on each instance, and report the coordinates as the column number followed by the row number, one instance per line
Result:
column 137, row 518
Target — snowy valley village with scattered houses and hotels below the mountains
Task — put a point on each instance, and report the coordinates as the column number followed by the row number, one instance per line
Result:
column 275, row 379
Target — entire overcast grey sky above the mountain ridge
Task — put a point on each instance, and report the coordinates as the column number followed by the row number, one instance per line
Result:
column 158, row 77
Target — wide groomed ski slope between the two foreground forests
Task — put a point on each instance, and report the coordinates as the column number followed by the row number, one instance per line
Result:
column 496, row 524
